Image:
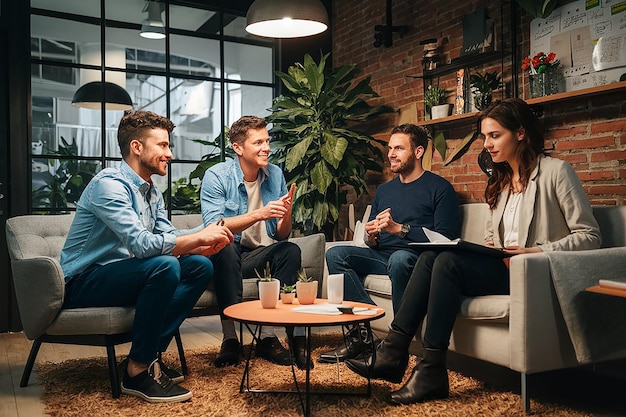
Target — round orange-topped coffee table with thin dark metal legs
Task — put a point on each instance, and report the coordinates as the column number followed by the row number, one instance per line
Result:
column 251, row 313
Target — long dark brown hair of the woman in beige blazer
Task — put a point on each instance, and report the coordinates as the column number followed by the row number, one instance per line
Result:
column 514, row 114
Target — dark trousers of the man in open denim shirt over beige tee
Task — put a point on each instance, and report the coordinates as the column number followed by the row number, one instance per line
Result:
column 232, row 263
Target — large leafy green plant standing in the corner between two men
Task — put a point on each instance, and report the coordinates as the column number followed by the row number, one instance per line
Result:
column 315, row 124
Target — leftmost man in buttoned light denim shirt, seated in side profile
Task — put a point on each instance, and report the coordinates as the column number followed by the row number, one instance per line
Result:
column 121, row 250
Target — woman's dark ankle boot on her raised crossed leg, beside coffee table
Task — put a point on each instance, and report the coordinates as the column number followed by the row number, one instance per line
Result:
column 392, row 358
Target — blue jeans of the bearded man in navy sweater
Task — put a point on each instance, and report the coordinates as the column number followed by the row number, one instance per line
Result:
column 356, row 262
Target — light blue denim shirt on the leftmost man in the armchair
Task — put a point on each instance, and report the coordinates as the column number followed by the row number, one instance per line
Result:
column 118, row 216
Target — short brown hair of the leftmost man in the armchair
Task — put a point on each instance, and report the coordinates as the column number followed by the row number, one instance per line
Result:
column 134, row 125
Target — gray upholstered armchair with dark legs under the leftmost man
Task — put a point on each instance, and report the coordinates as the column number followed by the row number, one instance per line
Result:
column 35, row 244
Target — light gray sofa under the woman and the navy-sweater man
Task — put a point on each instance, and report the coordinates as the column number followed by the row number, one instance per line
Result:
column 524, row 331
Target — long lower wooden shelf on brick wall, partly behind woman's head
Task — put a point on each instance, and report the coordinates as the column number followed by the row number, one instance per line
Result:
column 466, row 118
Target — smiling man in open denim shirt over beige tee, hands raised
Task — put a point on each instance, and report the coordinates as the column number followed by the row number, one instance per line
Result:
column 250, row 196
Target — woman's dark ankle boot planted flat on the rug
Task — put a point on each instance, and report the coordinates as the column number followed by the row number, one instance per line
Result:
column 428, row 381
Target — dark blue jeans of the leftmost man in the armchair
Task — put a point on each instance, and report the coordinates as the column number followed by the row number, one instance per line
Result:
column 163, row 290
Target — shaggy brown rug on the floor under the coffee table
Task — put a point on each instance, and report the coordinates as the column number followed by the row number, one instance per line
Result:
column 81, row 388
